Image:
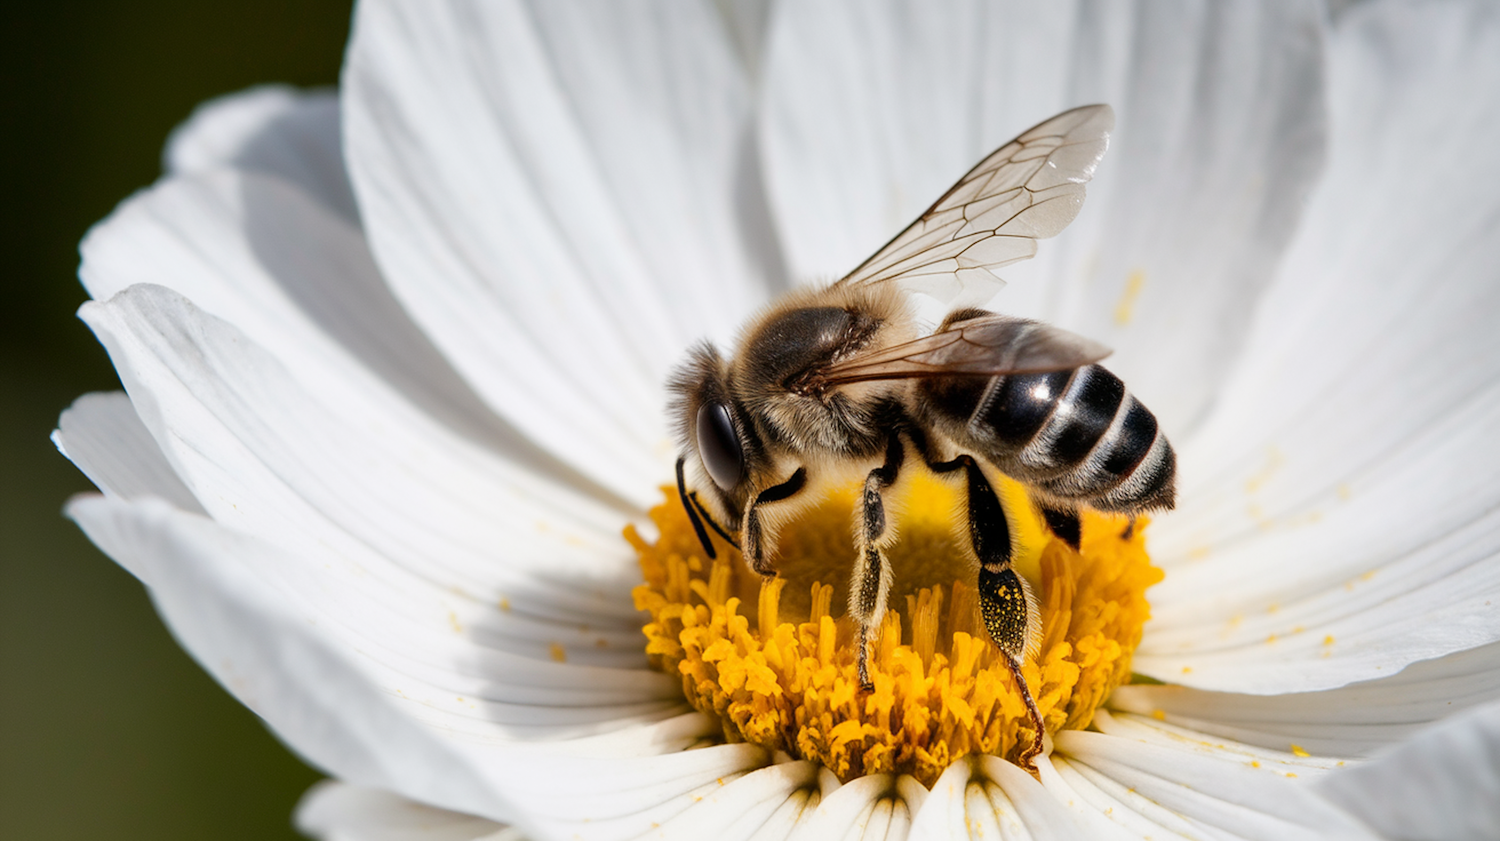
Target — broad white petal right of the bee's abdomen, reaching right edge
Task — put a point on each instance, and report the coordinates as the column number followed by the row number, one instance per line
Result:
column 1346, row 486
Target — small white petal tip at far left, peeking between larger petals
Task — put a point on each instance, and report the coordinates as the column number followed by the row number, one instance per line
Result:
column 104, row 437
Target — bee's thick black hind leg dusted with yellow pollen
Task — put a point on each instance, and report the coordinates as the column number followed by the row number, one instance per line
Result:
column 1006, row 600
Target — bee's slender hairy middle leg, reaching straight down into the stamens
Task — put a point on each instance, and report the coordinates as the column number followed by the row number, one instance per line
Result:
column 872, row 578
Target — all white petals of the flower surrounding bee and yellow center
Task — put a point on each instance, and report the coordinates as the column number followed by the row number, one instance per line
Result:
column 392, row 398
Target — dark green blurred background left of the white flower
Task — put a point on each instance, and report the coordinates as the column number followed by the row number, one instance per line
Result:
column 107, row 729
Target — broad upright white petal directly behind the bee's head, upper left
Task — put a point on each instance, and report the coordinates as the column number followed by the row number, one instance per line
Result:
column 563, row 200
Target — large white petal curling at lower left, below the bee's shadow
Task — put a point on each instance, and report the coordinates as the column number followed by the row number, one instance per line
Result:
column 442, row 726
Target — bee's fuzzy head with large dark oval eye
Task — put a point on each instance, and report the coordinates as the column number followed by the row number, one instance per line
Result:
column 719, row 444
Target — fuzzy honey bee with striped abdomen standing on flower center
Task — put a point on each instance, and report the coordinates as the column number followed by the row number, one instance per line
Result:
column 839, row 383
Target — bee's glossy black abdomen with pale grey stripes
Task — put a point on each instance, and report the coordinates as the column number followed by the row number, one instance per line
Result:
column 1078, row 435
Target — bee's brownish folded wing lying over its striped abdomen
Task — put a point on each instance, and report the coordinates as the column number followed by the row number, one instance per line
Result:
column 986, row 346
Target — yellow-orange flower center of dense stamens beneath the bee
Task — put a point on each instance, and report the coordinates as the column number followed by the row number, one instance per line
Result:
column 775, row 659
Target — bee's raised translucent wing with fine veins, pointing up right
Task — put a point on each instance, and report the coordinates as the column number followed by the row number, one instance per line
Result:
column 1030, row 190
